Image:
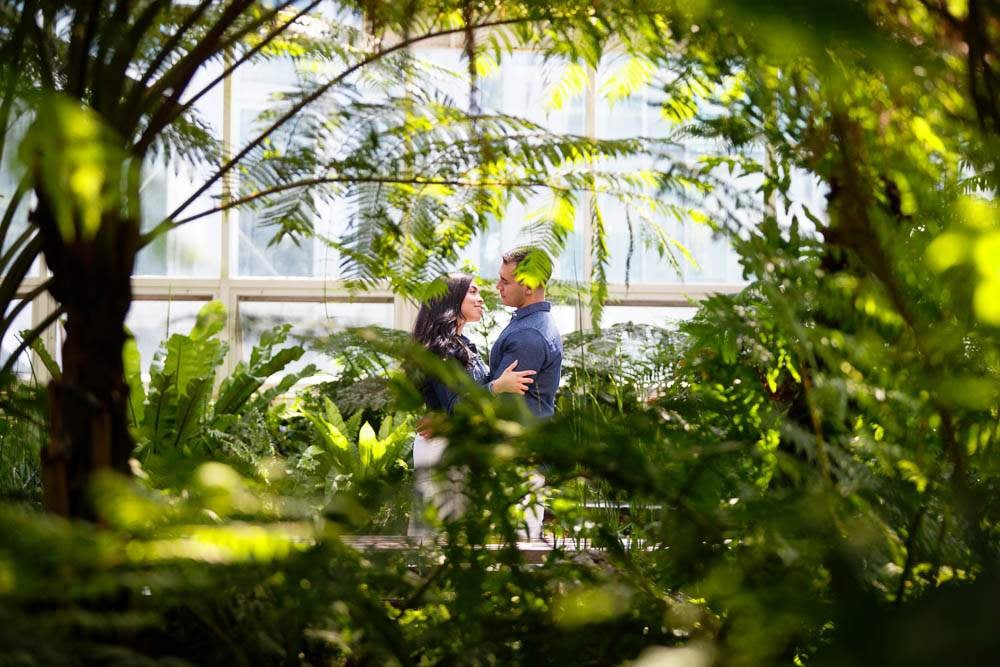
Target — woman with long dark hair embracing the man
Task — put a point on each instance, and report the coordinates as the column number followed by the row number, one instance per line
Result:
column 439, row 327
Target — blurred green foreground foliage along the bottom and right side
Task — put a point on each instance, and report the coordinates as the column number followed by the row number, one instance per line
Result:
column 812, row 478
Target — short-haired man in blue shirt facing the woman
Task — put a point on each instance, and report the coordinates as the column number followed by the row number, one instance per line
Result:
column 532, row 341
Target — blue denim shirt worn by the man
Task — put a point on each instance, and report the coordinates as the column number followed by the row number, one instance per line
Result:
column 533, row 340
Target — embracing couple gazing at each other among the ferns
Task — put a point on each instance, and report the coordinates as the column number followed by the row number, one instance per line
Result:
column 526, row 360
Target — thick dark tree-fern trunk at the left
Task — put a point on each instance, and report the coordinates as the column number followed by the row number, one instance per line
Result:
column 88, row 405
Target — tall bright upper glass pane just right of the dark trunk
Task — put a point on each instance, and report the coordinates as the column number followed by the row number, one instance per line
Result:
column 194, row 249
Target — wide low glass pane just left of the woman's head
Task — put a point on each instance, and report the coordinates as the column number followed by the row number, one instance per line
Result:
column 310, row 320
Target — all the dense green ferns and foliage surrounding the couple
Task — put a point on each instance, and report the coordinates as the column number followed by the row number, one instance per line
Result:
column 809, row 466
